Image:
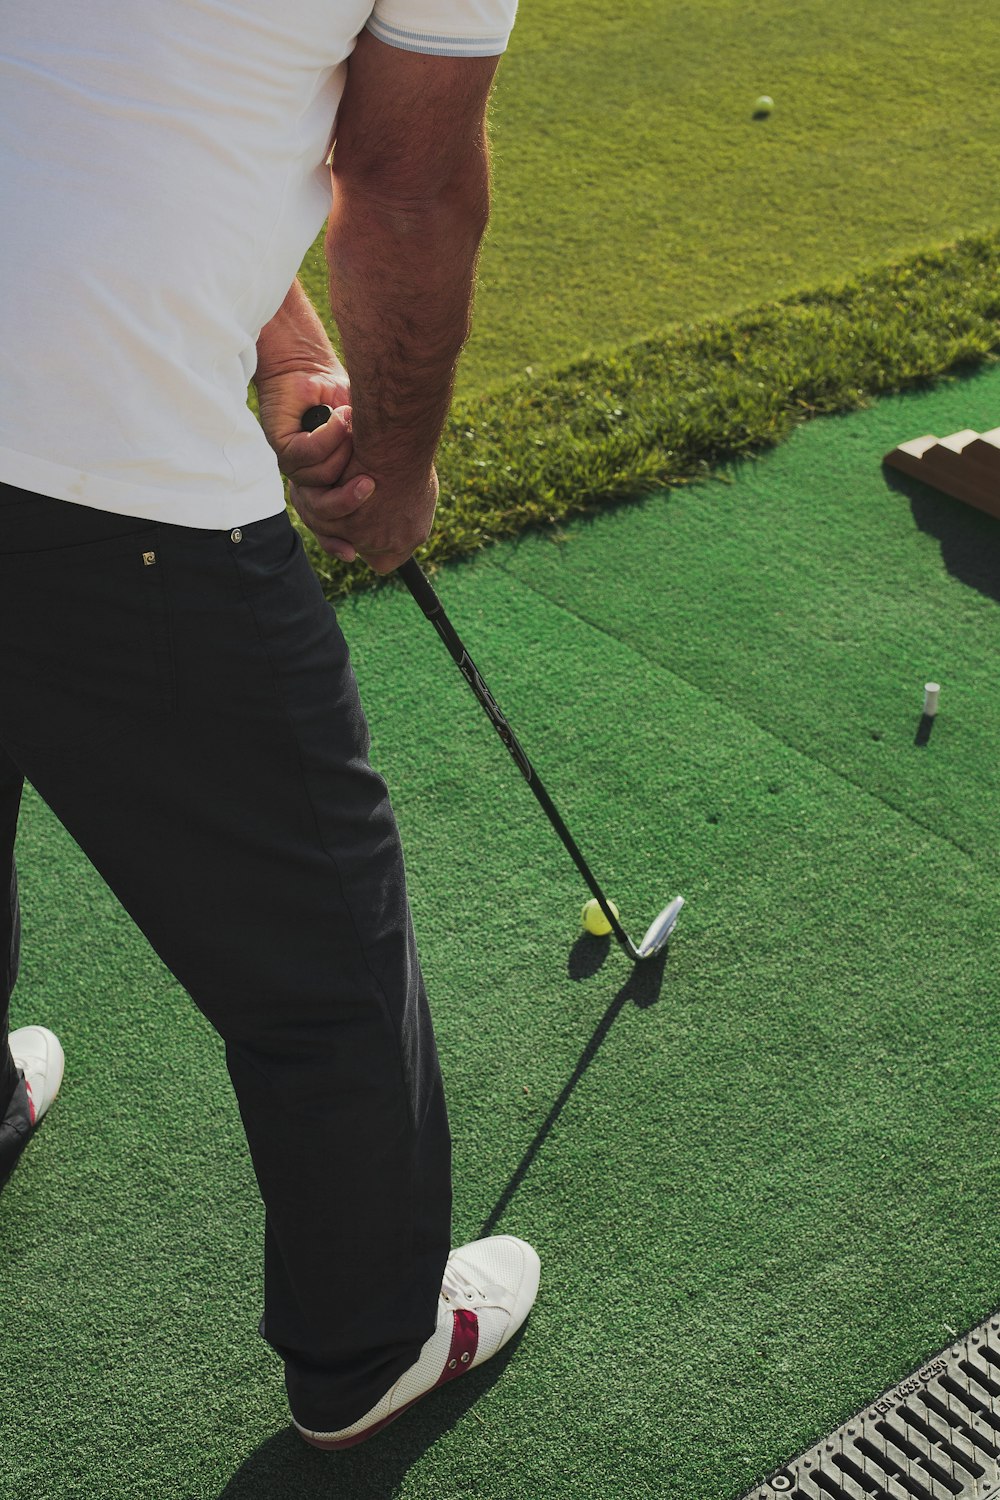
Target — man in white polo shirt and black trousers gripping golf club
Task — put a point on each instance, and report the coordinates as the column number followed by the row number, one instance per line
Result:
column 172, row 679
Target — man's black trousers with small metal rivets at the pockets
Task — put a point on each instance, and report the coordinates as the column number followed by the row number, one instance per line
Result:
column 185, row 704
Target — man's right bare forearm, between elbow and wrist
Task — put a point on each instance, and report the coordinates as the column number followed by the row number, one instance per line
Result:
column 401, row 290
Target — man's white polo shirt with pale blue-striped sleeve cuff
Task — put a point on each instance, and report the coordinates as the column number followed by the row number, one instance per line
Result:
column 163, row 175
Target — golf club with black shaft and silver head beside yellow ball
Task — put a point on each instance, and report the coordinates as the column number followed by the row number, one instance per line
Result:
column 418, row 584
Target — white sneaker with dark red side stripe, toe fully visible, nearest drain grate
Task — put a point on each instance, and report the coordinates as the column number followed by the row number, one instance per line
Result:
column 487, row 1295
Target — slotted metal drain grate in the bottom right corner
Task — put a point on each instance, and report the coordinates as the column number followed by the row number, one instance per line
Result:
column 936, row 1436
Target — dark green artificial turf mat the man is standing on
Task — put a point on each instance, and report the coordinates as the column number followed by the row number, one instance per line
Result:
column 762, row 1177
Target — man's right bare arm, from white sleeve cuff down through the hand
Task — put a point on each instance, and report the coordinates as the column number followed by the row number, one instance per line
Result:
column 412, row 200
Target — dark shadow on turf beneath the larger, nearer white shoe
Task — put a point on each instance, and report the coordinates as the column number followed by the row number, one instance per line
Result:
column 286, row 1468
